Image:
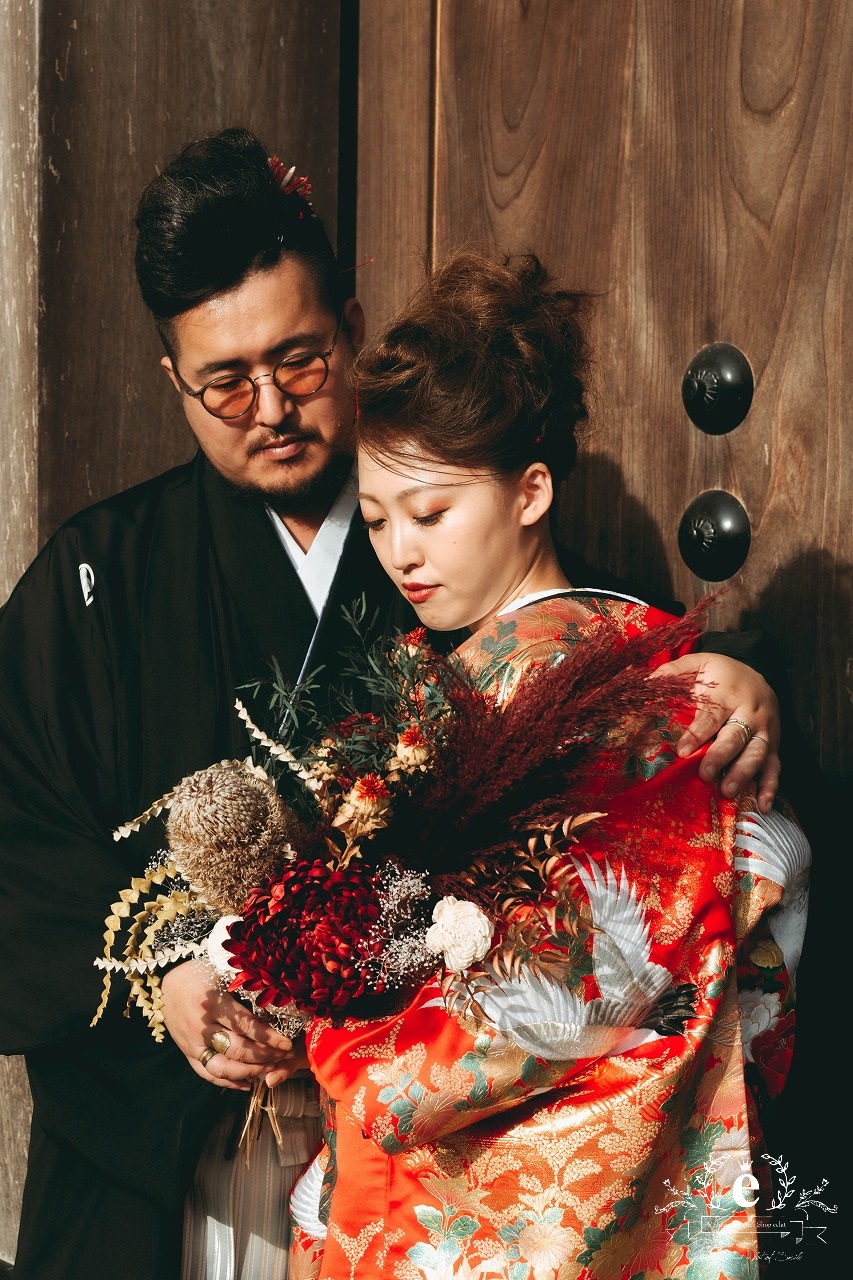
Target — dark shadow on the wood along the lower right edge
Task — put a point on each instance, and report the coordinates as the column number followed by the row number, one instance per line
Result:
column 809, row 611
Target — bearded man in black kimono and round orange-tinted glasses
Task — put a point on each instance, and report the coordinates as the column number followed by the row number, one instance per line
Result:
column 121, row 652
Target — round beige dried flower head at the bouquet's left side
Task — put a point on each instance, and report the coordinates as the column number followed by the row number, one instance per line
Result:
column 229, row 831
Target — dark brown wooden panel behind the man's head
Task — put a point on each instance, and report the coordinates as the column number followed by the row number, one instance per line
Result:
column 124, row 88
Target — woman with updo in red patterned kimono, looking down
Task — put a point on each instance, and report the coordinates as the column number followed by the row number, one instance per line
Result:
column 582, row 1109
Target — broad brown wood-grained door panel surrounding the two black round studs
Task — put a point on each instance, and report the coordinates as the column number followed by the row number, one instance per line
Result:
column 691, row 163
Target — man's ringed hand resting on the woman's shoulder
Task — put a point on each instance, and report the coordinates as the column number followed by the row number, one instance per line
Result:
column 736, row 696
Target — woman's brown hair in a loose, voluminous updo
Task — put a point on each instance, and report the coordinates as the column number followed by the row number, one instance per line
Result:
column 483, row 368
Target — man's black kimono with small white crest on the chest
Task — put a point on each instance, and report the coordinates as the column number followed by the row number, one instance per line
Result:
column 121, row 653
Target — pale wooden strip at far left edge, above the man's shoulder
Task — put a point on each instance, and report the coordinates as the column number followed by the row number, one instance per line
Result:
column 19, row 271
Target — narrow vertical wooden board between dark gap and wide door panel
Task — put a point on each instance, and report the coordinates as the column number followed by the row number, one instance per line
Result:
column 395, row 152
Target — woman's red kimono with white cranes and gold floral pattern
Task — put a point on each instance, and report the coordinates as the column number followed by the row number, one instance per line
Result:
column 455, row 1153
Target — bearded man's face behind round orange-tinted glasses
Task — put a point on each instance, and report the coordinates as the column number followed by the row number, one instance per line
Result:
column 282, row 449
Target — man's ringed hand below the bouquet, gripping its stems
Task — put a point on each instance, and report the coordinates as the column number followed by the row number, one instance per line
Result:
column 194, row 1011
